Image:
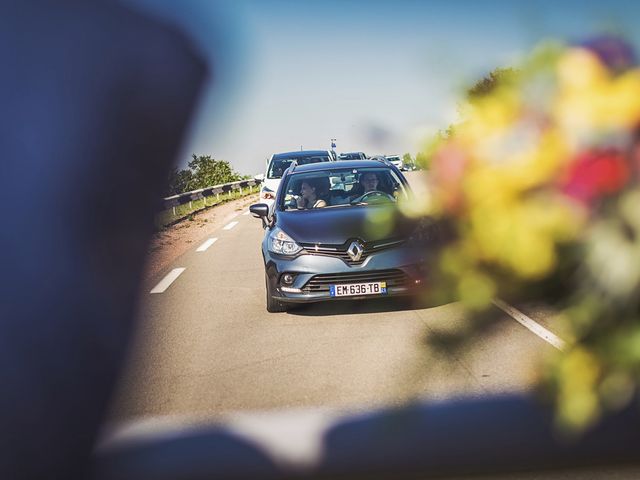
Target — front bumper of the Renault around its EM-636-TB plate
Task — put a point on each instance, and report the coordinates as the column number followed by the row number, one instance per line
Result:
column 404, row 269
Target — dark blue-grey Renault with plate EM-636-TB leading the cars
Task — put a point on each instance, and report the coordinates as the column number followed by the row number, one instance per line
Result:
column 354, row 244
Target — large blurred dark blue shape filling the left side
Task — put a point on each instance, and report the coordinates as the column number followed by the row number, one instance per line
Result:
column 94, row 103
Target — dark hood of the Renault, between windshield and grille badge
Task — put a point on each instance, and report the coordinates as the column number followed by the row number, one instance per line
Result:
column 337, row 225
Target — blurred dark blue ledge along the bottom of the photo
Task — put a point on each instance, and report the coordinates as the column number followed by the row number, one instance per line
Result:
column 430, row 440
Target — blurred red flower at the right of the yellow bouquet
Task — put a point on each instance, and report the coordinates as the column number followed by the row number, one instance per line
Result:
column 596, row 173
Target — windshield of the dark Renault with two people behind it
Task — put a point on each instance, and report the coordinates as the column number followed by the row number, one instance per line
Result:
column 342, row 188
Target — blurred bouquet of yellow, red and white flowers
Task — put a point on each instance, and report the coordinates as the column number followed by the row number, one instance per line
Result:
column 538, row 189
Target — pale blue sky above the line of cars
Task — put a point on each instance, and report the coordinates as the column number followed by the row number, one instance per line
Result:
column 378, row 76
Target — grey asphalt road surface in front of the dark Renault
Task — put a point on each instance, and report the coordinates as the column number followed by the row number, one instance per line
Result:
column 206, row 345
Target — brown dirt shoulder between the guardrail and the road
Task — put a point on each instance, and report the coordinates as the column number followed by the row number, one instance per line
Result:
column 172, row 242
